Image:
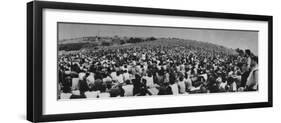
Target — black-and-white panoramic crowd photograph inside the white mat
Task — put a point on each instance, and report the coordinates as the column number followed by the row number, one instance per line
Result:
column 97, row 61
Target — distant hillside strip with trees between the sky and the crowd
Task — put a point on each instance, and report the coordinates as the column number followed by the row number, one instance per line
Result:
column 93, row 43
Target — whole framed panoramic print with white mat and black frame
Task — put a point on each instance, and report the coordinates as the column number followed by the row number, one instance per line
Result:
column 87, row 61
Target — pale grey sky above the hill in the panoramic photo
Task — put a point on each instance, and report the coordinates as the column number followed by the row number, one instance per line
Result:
column 227, row 38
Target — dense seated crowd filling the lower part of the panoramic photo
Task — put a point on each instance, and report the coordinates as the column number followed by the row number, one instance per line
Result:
column 157, row 70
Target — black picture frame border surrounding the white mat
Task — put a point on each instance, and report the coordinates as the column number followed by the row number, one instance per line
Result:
column 35, row 69
